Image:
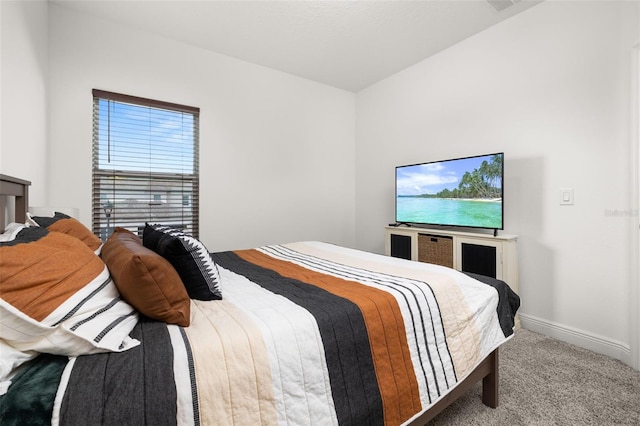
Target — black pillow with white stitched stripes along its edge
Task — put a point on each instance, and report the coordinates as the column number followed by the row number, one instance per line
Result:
column 188, row 256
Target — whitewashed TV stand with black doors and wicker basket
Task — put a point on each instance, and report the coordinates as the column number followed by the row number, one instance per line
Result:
column 465, row 251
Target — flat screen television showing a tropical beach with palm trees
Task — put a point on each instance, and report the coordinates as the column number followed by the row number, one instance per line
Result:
column 465, row 192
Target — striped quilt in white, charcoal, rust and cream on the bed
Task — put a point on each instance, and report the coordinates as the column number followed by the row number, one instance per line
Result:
column 307, row 334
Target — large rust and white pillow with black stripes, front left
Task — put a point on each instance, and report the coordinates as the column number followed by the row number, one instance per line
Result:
column 57, row 297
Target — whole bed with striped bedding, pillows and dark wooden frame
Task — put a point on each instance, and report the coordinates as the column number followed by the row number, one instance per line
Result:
column 297, row 333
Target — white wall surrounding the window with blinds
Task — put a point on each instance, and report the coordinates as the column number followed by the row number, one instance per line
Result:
column 276, row 151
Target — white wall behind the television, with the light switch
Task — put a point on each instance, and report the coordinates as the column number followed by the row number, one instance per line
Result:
column 551, row 88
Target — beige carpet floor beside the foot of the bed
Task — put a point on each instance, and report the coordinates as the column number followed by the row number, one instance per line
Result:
column 547, row 382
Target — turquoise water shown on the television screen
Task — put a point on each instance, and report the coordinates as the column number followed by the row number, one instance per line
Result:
column 446, row 211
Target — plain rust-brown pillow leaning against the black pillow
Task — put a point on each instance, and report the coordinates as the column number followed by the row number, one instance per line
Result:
column 145, row 279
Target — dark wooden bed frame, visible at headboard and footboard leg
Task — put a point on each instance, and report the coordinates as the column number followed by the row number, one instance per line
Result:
column 487, row 370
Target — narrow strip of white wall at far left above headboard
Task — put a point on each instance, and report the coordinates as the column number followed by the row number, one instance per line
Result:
column 23, row 93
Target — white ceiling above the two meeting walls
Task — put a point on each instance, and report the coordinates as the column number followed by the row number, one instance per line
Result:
column 345, row 44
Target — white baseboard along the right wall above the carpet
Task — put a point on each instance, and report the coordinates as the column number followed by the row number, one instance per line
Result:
column 598, row 344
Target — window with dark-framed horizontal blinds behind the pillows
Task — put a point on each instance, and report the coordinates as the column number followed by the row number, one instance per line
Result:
column 145, row 164
